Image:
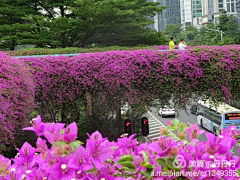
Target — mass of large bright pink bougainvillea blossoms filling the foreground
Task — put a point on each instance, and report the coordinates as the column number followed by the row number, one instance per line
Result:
column 164, row 159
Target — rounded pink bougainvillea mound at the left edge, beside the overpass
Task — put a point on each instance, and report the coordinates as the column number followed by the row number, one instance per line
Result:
column 16, row 98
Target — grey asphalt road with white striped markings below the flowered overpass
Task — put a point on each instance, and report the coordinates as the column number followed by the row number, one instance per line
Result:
column 156, row 121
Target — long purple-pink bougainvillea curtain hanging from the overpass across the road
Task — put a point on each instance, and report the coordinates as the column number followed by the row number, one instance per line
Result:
column 103, row 79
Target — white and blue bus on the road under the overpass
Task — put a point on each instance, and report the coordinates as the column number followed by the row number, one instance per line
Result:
column 216, row 119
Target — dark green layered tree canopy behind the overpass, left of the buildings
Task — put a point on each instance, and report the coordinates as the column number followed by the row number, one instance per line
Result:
column 80, row 23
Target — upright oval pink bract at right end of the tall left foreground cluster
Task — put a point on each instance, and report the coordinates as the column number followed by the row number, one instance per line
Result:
column 70, row 133
